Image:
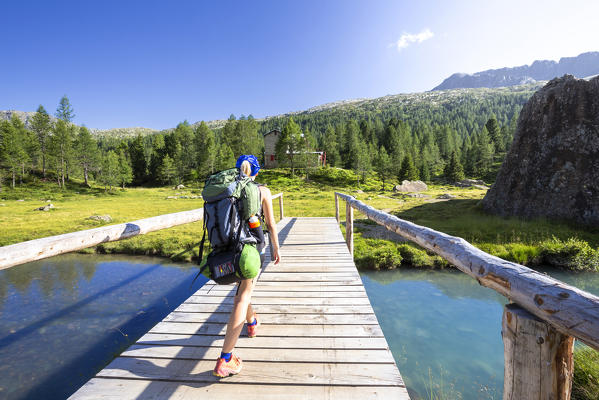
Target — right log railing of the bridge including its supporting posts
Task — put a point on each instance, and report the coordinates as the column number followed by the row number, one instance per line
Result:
column 537, row 330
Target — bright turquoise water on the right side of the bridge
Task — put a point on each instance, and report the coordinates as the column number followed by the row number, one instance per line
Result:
column 444, row 329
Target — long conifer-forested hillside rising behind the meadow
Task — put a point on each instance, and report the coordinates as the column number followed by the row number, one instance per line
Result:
column 406, row 136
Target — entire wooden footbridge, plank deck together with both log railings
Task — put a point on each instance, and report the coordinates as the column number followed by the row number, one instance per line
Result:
column 319, row 336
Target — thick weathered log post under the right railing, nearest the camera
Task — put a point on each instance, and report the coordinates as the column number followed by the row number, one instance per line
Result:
column 538, row 359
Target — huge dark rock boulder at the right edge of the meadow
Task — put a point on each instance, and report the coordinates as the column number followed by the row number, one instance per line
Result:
column 552, row 168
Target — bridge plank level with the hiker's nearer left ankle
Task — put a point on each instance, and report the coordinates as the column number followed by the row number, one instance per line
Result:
column 250, row 354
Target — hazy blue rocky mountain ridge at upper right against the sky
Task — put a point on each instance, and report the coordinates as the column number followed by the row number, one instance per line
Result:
column 582, row 66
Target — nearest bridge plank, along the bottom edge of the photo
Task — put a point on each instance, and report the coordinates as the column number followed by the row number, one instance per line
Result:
column 144, row 389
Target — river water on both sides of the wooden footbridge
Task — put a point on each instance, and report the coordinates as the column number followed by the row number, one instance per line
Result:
column 63, row 319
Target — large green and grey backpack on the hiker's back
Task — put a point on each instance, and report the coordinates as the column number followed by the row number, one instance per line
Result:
column 230, row 199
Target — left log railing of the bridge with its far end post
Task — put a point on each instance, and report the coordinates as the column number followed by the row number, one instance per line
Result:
column 32, row 250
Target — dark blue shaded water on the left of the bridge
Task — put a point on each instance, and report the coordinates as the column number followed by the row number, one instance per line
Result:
column 63, row 319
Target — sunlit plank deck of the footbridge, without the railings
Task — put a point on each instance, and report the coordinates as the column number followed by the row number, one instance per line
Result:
column 318, row 339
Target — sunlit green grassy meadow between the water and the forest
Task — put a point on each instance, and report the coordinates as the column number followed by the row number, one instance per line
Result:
column 535, row 242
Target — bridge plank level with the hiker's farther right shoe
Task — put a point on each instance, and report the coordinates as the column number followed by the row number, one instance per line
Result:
column 207, row 328
